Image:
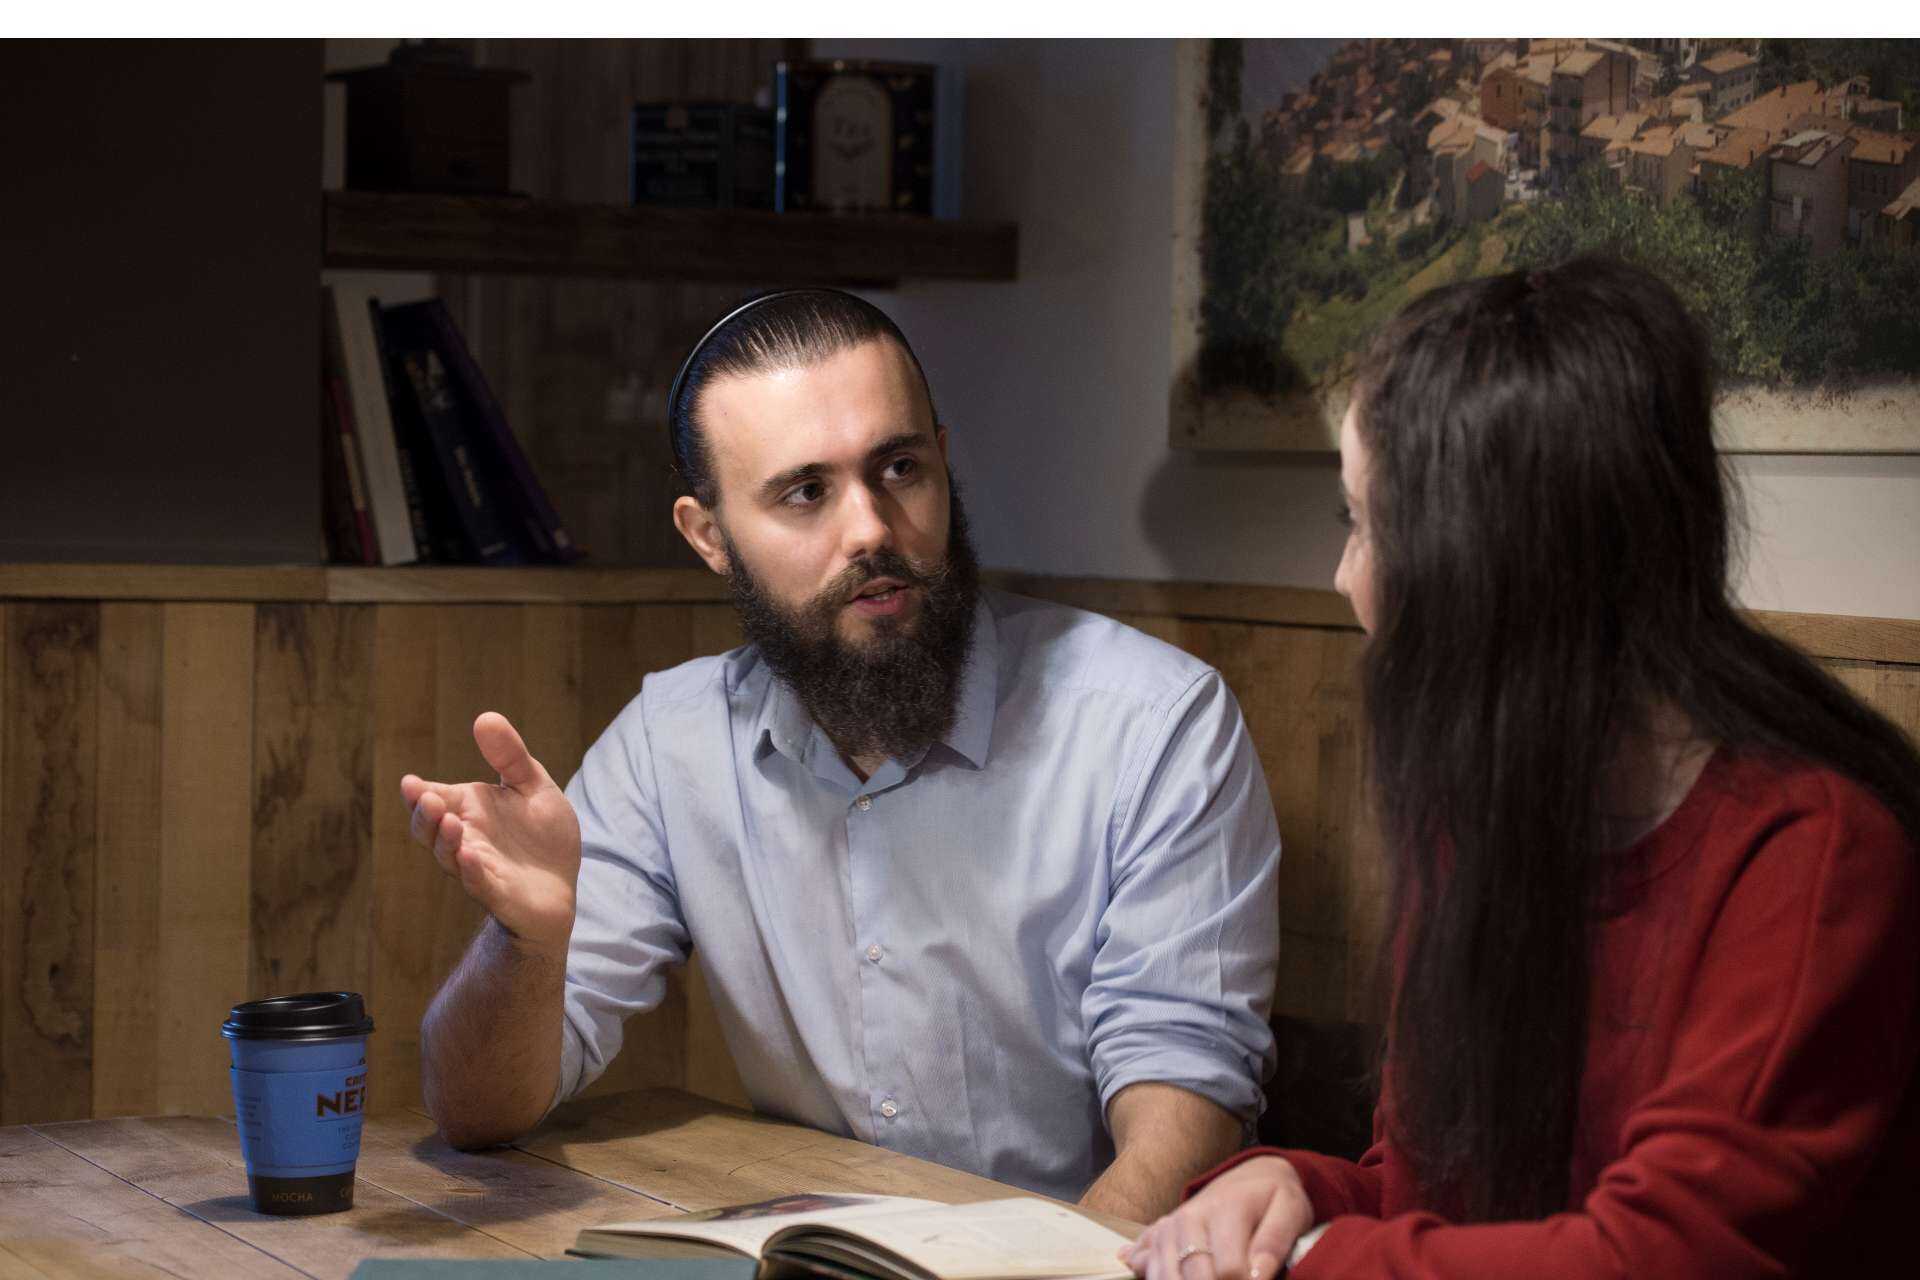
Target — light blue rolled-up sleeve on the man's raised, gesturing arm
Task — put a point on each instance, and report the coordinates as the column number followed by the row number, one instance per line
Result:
column 629, row 930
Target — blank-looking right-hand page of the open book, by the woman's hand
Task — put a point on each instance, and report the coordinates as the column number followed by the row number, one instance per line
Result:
column 994, row 1239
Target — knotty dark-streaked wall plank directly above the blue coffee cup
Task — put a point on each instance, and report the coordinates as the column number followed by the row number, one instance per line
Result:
column 312, row 797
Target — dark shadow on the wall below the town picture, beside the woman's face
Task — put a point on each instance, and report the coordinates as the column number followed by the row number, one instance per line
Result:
column 1245, row 517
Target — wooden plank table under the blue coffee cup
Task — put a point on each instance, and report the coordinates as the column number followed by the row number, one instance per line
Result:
column 166, row 1197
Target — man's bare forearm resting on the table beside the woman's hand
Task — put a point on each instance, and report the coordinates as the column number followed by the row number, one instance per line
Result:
column 1166, row 1139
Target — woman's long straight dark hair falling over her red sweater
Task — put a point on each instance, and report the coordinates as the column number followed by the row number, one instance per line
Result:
column 1552, row 540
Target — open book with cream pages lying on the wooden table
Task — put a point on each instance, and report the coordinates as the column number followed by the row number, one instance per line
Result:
column 880, row 1239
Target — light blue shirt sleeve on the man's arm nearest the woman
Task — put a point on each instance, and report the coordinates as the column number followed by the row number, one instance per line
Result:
column 1189, row 941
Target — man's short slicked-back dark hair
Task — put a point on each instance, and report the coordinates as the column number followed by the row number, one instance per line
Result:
column 784, row 329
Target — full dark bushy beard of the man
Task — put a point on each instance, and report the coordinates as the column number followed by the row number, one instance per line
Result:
column 896, row 694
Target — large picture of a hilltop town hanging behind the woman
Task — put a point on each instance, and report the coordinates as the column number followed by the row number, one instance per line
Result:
column 1320, row 185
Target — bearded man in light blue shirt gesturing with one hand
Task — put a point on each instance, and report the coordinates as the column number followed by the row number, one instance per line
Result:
column 972, row 878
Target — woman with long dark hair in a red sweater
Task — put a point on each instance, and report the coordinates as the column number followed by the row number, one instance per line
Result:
column 1656, row 957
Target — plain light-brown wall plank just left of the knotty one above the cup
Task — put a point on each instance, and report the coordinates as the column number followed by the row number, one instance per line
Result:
column 206, row 742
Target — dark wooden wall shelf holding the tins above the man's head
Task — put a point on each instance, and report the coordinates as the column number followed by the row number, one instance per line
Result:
column 510, row 235
